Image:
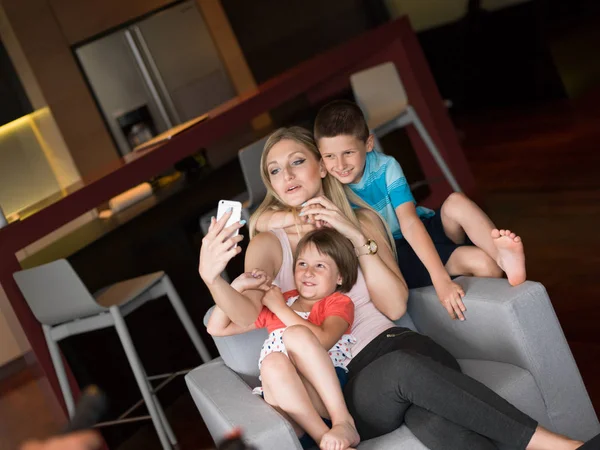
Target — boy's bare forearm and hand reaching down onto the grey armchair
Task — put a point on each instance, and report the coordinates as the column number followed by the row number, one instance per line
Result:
column 413, row 230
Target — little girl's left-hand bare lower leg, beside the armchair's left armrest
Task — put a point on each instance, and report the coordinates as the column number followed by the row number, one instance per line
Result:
column 284, row 389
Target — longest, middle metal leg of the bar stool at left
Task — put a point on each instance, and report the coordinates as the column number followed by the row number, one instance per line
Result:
column 140, row 377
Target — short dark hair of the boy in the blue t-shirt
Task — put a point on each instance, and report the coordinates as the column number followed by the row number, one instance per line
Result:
column 341, row 117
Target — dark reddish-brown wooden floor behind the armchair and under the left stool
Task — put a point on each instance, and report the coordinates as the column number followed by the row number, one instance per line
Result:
column 538, row 172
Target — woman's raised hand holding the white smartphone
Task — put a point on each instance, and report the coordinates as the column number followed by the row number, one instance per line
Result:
column 218, row 247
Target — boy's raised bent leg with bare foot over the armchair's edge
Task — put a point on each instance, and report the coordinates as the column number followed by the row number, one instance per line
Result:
column 461, row 216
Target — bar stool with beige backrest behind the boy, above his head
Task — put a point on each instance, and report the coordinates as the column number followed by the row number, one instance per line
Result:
column 379, row 92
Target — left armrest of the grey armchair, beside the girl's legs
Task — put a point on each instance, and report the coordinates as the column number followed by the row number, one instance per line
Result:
column 225, row 401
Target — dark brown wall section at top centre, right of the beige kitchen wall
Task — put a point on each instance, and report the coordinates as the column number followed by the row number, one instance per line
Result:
column 276, row 35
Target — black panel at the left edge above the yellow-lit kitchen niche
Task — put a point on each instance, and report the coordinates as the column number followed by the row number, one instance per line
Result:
column 13, row 100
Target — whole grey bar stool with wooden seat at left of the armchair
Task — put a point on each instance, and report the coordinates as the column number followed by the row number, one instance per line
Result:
column 64, row 306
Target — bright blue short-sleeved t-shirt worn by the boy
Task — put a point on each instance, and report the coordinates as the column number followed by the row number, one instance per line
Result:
column 384, row 187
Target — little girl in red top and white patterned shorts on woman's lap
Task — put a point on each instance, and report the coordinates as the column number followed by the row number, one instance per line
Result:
column 302, row 324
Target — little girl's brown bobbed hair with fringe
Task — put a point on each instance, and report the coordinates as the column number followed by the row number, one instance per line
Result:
column 331, row 243
